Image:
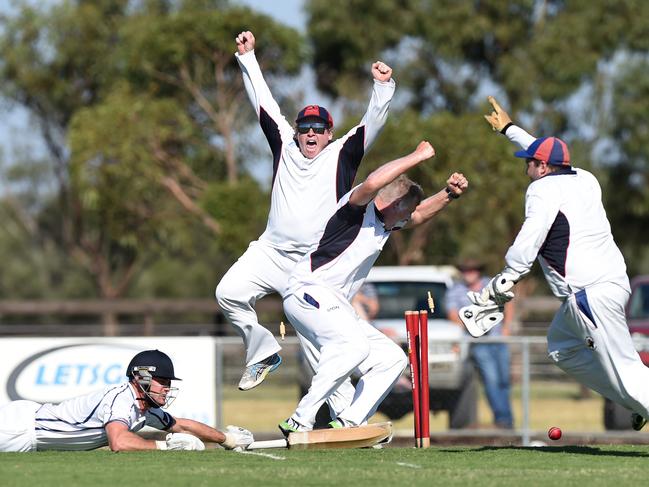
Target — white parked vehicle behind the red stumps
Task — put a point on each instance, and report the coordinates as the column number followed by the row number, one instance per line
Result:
column 451, row 373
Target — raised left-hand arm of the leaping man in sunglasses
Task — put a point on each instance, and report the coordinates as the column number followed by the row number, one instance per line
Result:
column 272, row 121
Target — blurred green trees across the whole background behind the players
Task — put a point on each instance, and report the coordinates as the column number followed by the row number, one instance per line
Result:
column 147, row 126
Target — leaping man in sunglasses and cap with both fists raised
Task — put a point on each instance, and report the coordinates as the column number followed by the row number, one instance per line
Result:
column 311, row 172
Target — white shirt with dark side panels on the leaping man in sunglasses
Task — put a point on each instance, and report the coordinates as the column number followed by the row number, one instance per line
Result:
column 305, row 192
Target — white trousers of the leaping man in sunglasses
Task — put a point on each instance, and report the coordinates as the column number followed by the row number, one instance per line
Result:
column 260, row 271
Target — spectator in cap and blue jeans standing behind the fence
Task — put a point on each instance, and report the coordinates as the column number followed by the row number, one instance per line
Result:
column 491, row 359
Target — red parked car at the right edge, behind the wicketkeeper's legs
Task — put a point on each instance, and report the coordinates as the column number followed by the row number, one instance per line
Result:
column 618, row 417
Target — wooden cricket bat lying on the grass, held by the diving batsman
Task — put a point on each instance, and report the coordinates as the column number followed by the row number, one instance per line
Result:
column 355, row 437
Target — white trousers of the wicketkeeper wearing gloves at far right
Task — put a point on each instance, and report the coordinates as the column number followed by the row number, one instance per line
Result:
column 590, row 340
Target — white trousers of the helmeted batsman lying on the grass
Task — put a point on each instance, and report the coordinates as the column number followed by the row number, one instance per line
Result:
column 17, row 423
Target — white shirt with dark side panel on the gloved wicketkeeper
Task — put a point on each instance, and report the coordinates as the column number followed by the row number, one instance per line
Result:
column 566, row 228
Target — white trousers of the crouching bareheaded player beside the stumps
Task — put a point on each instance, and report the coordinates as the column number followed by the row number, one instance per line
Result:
column 346, row 344
